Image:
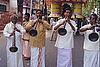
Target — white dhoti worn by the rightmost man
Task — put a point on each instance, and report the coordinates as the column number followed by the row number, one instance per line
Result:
column 91, row 58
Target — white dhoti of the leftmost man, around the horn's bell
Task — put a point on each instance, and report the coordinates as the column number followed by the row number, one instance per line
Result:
column 14, row 59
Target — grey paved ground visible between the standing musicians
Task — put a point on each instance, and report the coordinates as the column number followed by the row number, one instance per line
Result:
column 50, row 52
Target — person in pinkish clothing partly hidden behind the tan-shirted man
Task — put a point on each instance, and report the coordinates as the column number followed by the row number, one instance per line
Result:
column 26, row 47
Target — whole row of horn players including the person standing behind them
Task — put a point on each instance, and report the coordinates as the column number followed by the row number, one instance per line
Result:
column 30, row 38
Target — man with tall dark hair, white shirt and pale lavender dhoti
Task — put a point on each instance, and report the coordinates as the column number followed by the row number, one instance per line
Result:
column 65, row 43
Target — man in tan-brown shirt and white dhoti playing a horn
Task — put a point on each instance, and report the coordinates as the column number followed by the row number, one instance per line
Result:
column 38, row 42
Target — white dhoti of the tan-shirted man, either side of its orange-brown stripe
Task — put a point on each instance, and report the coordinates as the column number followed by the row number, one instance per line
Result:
column 34, row 57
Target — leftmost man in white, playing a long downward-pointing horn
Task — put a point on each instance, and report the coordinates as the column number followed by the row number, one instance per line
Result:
column 13, row 33
